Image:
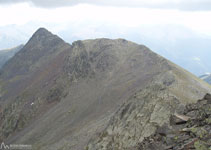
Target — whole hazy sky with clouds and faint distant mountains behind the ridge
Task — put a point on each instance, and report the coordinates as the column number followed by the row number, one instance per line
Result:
column 163, row 25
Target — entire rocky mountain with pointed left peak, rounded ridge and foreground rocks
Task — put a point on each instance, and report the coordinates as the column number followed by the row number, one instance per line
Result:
column 99, row 94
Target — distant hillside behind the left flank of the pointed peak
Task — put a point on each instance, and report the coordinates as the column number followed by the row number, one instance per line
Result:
column 6, row 54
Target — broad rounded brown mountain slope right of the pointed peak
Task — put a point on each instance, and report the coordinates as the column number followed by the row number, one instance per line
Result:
column 93, row 82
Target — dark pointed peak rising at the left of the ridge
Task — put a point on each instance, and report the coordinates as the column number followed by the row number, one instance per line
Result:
column 42, row 44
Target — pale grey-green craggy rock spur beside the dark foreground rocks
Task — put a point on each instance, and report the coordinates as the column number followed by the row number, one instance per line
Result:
column 136, row 119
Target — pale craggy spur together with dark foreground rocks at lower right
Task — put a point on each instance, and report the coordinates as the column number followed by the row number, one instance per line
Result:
column 150, row 120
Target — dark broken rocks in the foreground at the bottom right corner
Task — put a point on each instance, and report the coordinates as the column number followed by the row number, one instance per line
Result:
column 187, row 131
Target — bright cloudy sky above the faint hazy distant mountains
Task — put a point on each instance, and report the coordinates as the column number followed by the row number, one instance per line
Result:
column 193, row 14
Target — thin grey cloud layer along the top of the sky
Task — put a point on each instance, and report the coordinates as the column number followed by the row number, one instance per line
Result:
column 164, row 4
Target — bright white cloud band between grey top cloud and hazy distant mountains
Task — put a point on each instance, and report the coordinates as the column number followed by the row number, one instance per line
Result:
column 95, row 15
